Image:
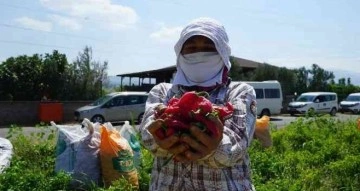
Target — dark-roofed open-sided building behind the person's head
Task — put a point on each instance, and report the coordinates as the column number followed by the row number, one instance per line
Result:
column 147, row 79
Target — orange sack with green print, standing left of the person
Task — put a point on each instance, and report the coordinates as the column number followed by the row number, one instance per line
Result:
column 116, row 158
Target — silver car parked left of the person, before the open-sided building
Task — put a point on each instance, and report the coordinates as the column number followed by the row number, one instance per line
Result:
column 117, row 106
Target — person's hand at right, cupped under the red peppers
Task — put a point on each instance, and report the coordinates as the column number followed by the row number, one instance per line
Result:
column 200, row 143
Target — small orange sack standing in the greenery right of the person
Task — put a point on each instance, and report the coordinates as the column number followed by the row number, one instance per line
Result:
column 262, row 131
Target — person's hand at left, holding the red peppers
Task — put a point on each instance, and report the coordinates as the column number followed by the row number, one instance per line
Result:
column 171, row 144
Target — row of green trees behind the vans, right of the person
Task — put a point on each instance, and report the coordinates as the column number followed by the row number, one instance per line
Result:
column 297, row 81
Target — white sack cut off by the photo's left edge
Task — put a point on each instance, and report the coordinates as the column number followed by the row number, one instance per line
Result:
column 6, row 151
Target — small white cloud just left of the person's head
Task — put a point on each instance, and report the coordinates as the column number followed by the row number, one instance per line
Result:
column 166, row 34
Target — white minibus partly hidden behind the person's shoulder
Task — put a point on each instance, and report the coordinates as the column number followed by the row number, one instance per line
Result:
column 268, row 97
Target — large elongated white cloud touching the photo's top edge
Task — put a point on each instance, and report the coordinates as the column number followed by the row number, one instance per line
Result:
column 100, row 11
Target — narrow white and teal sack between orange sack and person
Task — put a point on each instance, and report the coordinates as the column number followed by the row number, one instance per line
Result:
column 128, row 132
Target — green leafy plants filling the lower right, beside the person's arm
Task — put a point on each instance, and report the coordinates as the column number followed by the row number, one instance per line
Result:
column 318, row 153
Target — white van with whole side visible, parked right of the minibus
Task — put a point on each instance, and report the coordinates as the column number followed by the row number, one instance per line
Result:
column 318, row 102
